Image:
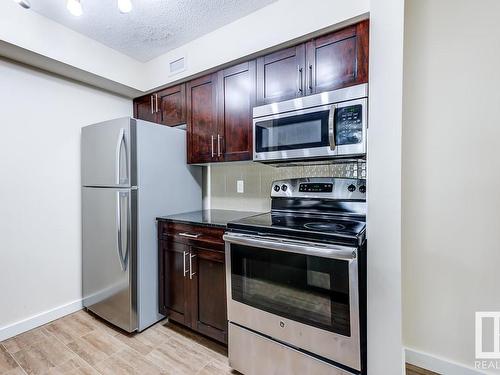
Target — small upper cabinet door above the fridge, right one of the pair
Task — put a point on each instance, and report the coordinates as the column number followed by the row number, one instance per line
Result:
column 172, row 105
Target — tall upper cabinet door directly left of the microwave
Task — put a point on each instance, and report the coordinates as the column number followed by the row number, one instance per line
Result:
column 236, row 100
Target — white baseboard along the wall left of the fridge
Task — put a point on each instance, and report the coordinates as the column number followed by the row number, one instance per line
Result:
column 39, row 319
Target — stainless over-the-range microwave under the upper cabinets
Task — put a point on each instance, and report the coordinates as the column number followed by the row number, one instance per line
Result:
column 324, row 131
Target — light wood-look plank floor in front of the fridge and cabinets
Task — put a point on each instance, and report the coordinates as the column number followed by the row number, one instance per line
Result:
column 82, row 344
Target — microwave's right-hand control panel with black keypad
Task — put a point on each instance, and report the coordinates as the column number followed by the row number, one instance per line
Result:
column 349, row 127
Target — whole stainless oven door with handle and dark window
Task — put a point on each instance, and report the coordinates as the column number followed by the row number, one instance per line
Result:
column 300, row 293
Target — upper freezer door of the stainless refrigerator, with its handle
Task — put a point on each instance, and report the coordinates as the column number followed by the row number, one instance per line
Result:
column 108, row 153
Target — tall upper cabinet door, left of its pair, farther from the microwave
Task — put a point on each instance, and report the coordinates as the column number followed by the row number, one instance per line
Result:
column 202, row 119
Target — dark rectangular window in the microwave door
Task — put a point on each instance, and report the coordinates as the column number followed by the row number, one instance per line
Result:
column 294, row 132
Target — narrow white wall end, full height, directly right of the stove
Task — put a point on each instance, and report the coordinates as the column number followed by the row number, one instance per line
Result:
column 384, row 188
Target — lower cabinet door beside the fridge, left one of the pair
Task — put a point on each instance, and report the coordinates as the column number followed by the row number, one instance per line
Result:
column 174, row 291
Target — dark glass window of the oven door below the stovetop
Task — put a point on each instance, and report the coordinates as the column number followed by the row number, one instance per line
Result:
column 307, row 289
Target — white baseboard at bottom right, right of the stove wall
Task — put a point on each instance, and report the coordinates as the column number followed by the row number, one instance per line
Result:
column 439, row 365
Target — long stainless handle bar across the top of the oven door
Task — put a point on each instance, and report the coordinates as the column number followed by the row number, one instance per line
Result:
column 294, row 246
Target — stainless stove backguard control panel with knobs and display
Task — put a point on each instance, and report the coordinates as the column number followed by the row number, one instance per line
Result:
column 320, row 187
